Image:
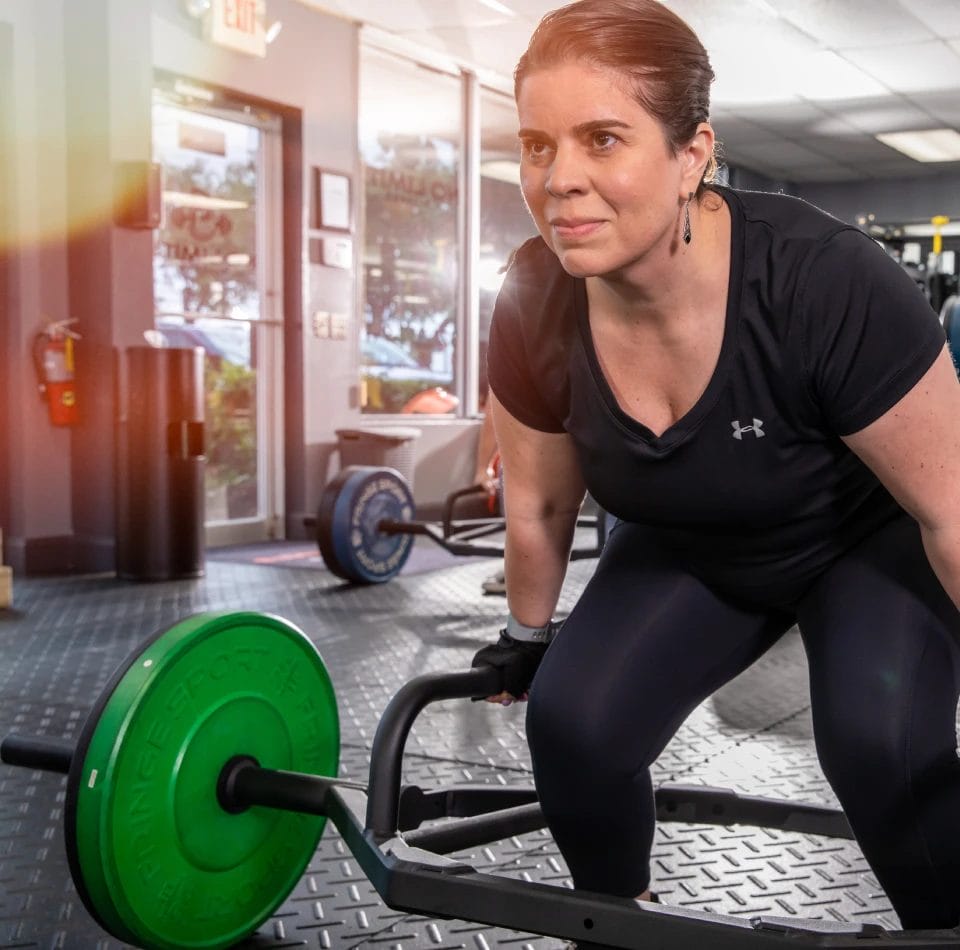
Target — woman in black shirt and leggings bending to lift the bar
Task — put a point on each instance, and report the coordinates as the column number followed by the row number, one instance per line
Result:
column 765, row 401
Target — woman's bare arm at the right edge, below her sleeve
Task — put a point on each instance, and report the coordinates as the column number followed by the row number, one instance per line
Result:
column 914, row 449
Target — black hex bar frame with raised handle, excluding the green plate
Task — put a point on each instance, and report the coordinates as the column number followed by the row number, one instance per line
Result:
column 410, row 872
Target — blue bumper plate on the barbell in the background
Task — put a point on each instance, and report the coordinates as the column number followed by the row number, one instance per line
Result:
column 362, row 552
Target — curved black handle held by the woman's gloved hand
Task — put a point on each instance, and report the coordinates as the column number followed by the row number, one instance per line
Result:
column 387, row 752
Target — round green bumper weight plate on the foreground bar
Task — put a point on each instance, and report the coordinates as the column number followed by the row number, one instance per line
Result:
column 156, row 859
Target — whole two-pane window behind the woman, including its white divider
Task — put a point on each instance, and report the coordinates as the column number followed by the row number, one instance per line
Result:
column 414, row 327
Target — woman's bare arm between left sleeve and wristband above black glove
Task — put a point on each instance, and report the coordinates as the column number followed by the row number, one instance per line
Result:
column 543, row 492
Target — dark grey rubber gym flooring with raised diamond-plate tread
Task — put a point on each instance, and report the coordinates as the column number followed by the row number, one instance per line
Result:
column 63, row 638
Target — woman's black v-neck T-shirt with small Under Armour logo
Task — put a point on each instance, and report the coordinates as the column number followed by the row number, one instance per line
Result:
column 824, row 333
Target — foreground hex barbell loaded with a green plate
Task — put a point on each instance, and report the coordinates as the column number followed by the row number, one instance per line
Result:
column 203, row 777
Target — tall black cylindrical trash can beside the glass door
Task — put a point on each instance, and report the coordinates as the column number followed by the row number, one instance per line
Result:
column 161, row 461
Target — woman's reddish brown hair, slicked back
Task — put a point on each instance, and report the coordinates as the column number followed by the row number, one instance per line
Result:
column 660, row 57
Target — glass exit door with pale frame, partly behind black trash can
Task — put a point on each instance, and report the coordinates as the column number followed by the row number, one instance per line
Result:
column 217, row 286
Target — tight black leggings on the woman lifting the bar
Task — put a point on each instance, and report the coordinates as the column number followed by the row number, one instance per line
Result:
column 647, row 643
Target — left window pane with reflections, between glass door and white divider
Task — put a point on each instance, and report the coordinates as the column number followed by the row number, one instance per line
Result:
column 409, row 145
